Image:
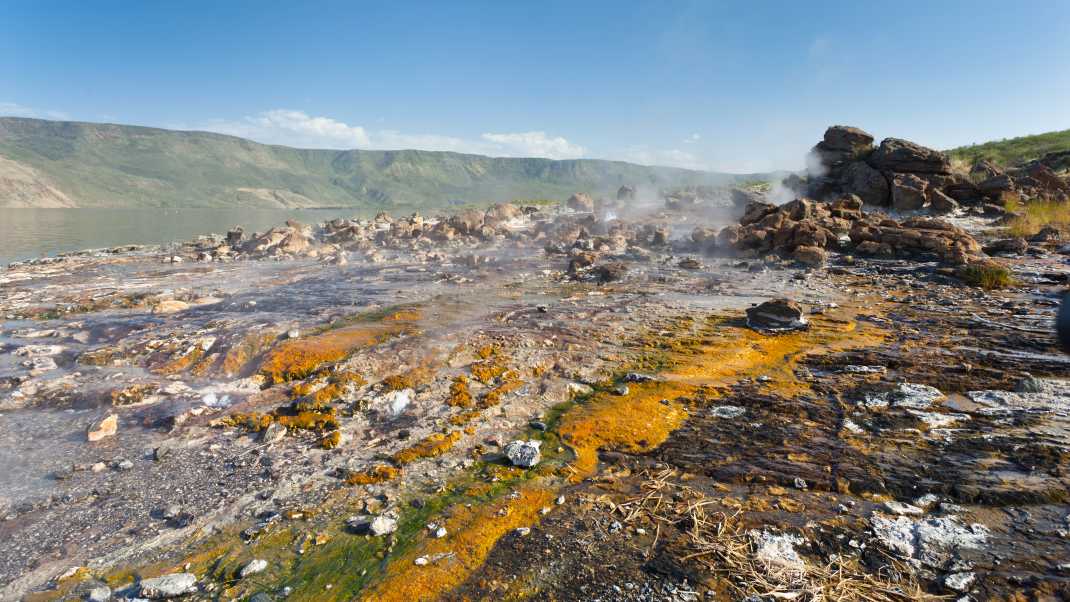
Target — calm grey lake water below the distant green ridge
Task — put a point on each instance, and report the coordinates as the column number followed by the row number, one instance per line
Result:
column 27, row 234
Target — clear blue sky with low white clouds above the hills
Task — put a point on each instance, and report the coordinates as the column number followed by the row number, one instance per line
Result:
column 744, row 86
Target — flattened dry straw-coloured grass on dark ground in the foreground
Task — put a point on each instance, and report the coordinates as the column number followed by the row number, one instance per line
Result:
column 721, row 545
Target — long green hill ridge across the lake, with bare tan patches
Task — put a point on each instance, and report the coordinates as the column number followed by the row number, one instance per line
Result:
column 89, row 165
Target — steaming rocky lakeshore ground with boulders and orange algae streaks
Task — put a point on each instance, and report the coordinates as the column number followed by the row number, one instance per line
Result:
column 844, row 397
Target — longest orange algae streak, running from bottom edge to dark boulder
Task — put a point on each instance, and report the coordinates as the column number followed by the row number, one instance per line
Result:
column 638, row 422
